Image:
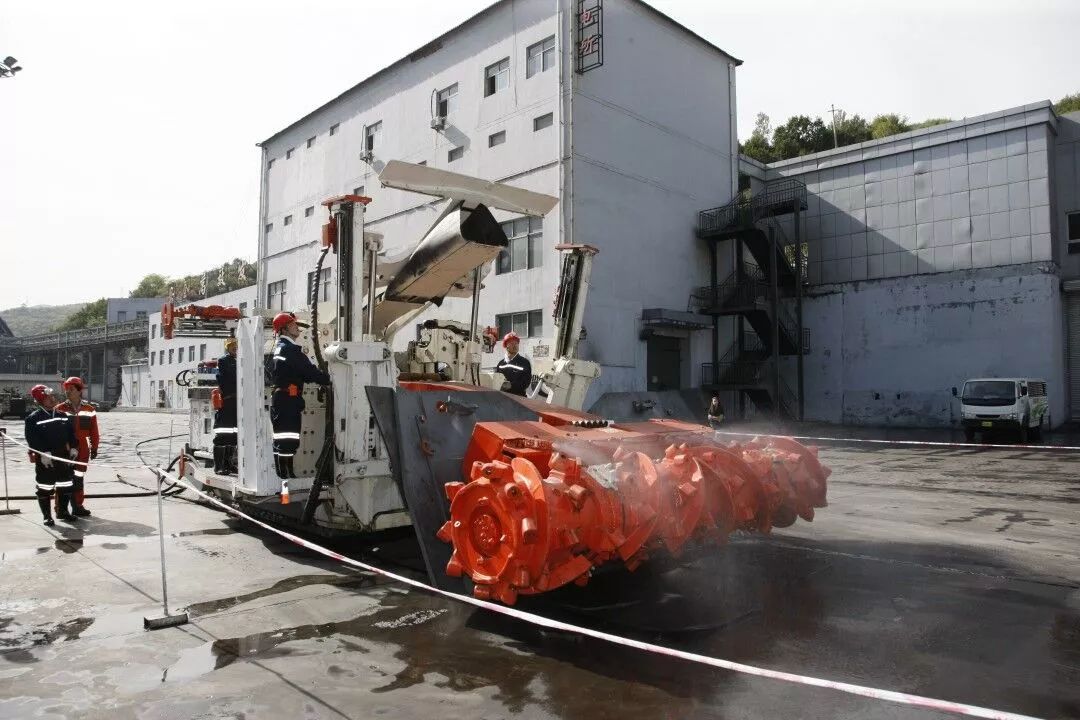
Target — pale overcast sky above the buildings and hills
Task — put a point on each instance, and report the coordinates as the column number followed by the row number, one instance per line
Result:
column 128, row 143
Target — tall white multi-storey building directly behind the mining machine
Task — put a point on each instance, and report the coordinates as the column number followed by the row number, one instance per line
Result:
column 633, row 148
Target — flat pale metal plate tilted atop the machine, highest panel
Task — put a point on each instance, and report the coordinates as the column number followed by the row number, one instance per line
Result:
column 464, row 188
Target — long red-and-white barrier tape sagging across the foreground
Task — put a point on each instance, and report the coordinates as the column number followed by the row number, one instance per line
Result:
column 889, row 696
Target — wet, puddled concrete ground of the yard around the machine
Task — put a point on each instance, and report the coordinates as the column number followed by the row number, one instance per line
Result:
column 947, row 573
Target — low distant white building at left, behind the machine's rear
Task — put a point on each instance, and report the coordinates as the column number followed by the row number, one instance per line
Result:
column 168, row 359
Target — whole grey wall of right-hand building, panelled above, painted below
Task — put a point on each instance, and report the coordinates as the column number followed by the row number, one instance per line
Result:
column 931, row 261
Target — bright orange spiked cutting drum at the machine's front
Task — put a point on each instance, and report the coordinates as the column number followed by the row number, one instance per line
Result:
column 545, row 505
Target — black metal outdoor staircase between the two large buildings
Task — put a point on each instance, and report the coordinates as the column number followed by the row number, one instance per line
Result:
column 764, row 294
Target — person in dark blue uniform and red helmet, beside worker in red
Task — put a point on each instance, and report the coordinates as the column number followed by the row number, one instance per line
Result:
column 51, row 436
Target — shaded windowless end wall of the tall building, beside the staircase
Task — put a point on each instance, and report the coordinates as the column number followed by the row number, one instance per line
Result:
column 652, row 148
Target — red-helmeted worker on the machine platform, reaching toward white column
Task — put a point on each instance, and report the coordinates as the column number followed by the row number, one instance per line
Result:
column 291, row 370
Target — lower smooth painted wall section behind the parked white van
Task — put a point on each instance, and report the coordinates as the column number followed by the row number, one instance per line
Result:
column 889, row 352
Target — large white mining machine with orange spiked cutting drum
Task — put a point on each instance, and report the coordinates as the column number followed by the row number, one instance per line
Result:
column 508, row 496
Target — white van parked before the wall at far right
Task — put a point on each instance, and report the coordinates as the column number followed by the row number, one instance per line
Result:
column 1008, row 404
